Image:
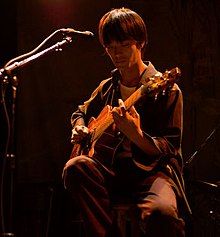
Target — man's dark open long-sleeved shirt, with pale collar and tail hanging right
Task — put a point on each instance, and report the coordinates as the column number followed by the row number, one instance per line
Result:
column 161, row 121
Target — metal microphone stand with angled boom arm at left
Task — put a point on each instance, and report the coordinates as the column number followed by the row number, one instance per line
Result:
column 7, row 78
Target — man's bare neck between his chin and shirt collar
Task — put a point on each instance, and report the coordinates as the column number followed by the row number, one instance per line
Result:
column 132, row 76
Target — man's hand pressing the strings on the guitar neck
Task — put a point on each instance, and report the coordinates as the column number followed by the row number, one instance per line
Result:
column 127, row 121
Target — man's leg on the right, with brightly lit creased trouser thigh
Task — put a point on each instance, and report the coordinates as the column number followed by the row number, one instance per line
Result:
column 159, row 213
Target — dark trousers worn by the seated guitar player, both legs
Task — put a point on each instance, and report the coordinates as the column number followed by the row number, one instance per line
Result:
column 95, row 187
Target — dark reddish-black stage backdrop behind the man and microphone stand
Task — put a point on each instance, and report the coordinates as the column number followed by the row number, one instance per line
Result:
column 181, row 33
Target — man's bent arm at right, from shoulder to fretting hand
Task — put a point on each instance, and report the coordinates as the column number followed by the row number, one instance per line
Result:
column 166, row 141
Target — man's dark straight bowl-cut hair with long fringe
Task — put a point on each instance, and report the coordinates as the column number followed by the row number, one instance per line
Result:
column 122, row 24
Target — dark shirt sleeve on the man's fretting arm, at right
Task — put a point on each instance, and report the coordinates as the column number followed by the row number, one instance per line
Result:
column 168, row 135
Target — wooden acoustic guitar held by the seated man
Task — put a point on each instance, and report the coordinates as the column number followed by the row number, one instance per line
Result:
column 105, row 143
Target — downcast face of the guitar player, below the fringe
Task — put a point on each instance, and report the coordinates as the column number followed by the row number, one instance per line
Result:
column 124, row 54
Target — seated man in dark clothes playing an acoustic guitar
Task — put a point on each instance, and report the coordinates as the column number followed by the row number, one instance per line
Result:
column 145, row 163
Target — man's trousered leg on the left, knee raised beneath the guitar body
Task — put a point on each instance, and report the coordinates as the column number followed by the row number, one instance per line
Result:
column 86, row 180
